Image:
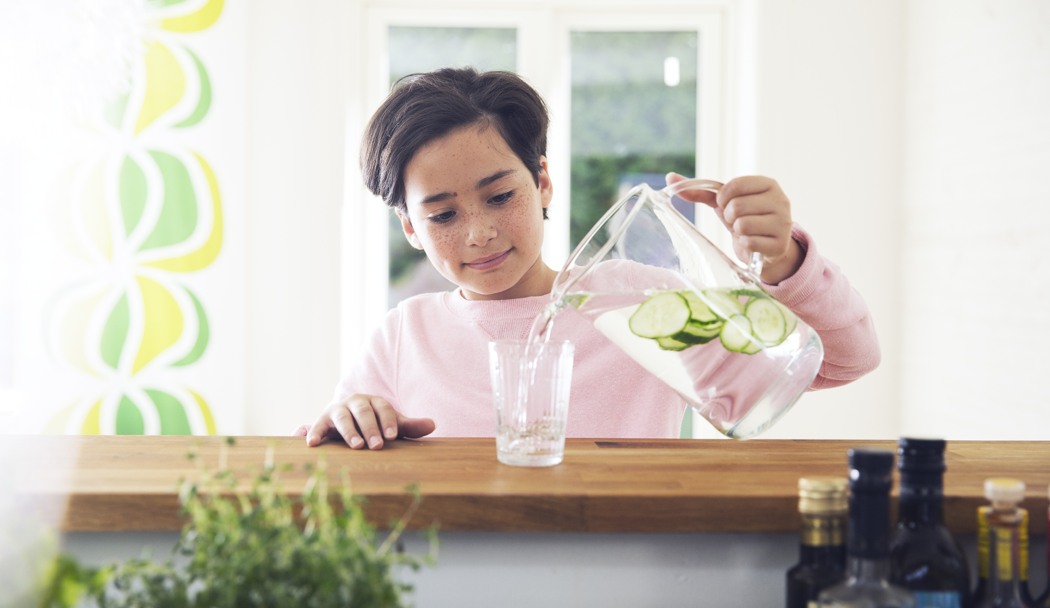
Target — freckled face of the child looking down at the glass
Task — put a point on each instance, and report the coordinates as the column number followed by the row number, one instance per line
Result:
column 474, row 207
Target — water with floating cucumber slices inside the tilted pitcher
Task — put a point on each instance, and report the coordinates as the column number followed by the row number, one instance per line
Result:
column 738, row 357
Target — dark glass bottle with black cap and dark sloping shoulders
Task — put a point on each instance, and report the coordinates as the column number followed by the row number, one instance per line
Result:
column 925, row 557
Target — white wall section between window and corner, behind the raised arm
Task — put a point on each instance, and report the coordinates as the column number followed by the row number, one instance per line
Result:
column 828, row 128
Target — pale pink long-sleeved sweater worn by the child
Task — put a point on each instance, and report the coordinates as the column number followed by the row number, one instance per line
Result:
column 430, row 359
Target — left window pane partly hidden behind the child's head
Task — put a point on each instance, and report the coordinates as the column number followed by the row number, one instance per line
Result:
column 414, row 50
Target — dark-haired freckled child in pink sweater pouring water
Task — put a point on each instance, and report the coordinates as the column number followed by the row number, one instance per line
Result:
column 461, row 159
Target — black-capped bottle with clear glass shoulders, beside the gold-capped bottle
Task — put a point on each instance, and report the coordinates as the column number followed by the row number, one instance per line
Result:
column 868, row 538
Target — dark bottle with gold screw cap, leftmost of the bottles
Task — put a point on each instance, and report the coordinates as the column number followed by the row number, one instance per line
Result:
column 823, row 547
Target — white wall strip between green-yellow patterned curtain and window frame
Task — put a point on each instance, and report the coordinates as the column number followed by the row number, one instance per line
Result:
column 300, row 55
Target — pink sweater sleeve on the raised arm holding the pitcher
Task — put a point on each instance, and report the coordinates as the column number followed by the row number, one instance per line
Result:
column 821, row 295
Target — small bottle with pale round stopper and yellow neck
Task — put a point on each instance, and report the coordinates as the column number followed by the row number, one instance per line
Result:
column 1003, row 550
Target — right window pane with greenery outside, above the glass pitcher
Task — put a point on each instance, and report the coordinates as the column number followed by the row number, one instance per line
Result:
column 635, row 103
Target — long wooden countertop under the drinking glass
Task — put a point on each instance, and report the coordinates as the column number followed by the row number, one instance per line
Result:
column 131, row 484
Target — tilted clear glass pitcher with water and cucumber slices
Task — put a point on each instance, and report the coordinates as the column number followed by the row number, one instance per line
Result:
column 700, row 321
